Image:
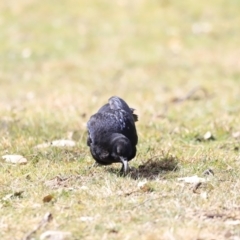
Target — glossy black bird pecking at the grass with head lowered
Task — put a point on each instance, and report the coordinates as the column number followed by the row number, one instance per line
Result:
column 112, row 135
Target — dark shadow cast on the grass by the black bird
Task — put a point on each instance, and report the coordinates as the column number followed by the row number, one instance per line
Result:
column 153, row 168
